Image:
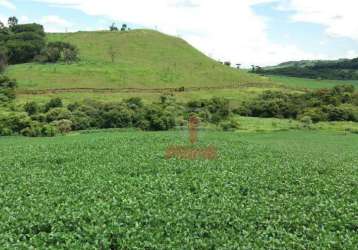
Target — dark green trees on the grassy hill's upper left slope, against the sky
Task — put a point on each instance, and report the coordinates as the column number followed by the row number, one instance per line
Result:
column 22, row 43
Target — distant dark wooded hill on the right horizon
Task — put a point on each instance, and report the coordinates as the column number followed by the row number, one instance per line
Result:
column 343, row 69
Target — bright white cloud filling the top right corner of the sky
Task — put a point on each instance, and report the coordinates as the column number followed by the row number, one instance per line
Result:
column 338, row 17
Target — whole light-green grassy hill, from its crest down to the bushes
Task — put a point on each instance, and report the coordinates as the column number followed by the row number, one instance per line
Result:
column 146, row 64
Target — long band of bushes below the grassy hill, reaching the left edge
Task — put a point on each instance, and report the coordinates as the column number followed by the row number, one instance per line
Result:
column 53, row 117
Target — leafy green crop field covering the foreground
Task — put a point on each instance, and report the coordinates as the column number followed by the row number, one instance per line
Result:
column 116, row 190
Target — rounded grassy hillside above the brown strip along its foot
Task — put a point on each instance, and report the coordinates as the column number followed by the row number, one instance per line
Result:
column 131, row 59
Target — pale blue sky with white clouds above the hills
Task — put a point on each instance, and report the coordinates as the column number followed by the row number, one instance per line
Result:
column 249, row 32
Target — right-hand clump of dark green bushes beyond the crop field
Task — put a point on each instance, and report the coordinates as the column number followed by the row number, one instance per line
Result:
column 337, row 104
